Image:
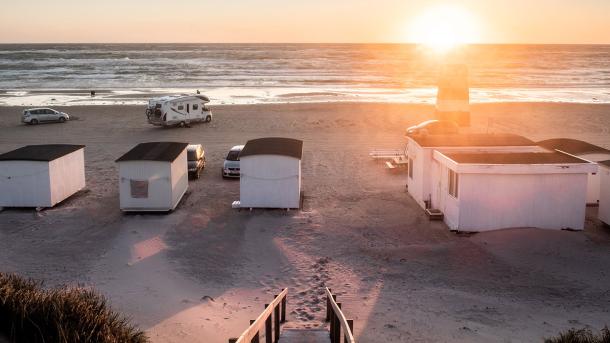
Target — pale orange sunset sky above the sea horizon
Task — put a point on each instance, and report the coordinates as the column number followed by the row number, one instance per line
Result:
column 315, row 21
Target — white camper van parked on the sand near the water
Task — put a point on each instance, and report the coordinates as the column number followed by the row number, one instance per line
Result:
column 179, row 110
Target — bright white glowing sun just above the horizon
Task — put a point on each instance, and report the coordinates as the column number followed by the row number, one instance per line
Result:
column 443, row 28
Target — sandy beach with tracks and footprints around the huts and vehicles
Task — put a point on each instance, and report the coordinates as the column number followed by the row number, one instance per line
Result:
column 200, row 273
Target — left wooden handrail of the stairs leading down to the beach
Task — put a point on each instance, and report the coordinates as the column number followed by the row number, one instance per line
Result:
column 251, row 335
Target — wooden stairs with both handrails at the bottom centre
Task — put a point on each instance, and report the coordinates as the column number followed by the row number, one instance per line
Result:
column 274, row 315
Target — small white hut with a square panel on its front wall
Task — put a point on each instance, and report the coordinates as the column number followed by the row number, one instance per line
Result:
column 153, row 176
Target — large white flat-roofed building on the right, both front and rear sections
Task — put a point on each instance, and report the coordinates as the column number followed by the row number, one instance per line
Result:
column 485, row 182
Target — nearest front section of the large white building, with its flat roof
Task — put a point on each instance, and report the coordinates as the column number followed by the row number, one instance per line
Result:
column 489, row 191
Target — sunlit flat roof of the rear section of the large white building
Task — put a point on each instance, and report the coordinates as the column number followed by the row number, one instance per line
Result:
column 472, row 139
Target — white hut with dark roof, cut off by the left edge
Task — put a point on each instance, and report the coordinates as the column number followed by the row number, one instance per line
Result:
column 41, row 175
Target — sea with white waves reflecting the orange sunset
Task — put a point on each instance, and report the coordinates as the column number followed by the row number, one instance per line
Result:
column 63, row 74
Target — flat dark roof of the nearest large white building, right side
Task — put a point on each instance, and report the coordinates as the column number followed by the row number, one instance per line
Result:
column 515, row 158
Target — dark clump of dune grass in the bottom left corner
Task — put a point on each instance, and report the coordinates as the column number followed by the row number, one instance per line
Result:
column 31, row 313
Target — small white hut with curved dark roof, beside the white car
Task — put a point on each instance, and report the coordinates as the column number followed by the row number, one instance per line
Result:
column 271, row 173
